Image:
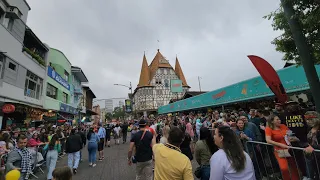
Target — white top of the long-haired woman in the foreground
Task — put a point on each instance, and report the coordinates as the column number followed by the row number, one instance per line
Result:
column 221, row 168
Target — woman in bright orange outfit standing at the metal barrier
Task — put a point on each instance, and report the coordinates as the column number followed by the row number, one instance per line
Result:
column 275, row 135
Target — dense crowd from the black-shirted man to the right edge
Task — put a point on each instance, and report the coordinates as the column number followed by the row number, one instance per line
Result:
column 235, row 144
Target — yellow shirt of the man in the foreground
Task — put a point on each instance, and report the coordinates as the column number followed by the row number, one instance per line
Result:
column 171, row 164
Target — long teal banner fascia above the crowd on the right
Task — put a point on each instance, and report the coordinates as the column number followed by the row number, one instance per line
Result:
column 293, row 79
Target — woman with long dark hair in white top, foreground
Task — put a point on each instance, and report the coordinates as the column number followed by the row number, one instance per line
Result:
column 230, row 161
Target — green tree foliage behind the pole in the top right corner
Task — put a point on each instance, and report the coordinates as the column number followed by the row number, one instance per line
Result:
column 308, row 14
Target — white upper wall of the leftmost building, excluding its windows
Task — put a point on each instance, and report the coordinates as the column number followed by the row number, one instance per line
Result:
column 12, row 84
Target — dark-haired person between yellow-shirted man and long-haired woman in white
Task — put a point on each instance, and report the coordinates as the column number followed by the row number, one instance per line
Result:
column 203, row 151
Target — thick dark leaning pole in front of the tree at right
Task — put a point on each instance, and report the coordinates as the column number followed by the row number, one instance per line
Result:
column 306, row 56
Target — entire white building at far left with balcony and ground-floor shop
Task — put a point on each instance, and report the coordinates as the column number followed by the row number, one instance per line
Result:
column 23, row 59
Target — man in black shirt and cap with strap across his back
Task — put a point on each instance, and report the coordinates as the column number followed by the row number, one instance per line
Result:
column 142, row 141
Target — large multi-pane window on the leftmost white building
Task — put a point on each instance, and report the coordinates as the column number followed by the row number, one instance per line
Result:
column 33, row 85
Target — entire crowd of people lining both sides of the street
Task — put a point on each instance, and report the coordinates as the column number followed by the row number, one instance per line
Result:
column 233, row 144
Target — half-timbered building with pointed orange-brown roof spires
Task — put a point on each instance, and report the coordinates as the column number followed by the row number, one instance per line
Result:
column 153, row 89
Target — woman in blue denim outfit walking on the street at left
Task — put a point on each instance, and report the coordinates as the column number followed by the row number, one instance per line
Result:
column 93, row 140
